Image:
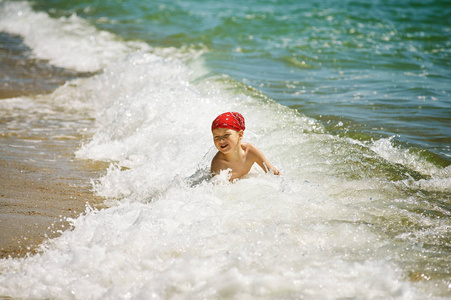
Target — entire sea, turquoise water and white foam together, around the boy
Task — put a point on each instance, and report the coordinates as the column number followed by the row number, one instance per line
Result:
column 360, row 210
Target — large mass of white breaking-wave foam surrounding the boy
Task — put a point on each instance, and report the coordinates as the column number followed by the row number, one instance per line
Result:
column 170, row 232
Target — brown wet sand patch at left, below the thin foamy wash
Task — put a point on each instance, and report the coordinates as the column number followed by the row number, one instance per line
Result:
column 41, row 184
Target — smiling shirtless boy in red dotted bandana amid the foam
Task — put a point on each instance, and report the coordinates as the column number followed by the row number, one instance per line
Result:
column 232, row 154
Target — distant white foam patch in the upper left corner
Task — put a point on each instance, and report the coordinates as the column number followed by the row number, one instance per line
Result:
column 66, row 42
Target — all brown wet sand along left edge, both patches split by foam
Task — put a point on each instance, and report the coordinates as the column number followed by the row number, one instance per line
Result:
column 41, row 181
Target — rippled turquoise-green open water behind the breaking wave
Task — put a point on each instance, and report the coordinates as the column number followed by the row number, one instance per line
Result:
column 366, row 70
